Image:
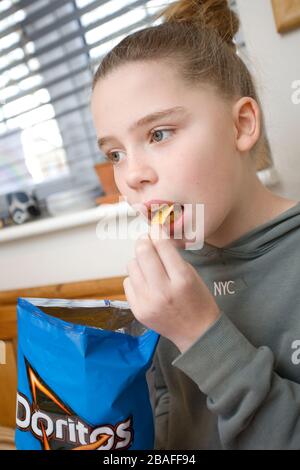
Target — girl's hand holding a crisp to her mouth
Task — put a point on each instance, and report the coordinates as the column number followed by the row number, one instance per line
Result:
column 166, row 294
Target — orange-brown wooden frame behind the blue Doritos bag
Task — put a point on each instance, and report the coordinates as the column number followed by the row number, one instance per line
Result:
column 110, row 288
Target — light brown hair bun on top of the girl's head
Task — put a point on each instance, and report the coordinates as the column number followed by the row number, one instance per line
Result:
column 215, row 14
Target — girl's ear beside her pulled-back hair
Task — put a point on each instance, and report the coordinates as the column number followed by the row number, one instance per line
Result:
column 247, row 123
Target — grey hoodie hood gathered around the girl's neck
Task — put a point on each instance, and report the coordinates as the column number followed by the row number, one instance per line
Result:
column 256, row 242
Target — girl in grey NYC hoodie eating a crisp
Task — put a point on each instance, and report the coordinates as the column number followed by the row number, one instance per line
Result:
column 177, row 113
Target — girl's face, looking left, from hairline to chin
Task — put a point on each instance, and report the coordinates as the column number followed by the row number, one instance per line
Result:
column 188, row 156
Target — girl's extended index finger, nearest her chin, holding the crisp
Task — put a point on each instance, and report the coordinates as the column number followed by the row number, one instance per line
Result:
column 174, row 265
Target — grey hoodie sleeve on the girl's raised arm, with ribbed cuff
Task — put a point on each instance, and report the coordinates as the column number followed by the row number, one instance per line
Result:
column 256, row 408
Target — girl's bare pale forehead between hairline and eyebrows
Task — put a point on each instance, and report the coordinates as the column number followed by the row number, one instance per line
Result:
column 121, row 98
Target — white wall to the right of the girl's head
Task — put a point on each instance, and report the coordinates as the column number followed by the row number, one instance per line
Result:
column 275, row 61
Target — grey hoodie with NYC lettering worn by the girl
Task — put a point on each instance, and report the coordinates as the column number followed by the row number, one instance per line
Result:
column 238, row 385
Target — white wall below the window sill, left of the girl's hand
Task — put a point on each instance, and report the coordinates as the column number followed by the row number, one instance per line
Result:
column 70, row 255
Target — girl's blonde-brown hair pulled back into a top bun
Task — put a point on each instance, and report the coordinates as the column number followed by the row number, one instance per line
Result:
column 198, row 36
